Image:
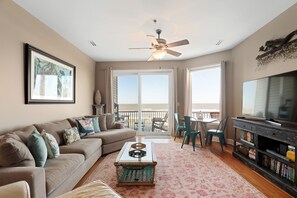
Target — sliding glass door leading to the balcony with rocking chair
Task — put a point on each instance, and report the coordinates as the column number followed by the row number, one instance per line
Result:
column 143, row 98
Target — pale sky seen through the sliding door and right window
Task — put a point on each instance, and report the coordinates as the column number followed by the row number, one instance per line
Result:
column 154, row 88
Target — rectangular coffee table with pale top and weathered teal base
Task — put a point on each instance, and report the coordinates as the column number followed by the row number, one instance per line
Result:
column 136, row 171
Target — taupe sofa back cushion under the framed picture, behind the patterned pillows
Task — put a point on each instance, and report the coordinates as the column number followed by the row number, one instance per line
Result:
column 55, row 128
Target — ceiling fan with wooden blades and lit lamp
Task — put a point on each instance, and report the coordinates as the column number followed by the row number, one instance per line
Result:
column 161, row 47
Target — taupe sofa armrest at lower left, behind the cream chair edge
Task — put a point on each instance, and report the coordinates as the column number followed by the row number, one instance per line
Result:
column 34, row 176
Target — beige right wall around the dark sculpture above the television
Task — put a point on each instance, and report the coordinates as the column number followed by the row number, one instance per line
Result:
column 244, row 55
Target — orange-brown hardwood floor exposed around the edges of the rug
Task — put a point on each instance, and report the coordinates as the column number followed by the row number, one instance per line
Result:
column 266, row 187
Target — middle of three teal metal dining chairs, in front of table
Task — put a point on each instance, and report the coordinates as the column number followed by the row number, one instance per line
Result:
column 189, row 133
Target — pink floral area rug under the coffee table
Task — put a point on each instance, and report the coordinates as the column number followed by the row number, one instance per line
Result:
column 181, row 173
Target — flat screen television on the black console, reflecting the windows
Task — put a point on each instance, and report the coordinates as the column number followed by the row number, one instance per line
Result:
column 271, row 98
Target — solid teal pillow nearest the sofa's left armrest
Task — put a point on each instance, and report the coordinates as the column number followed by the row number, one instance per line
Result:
column 38, row 148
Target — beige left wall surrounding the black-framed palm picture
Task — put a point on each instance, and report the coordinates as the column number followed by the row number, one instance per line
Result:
column 19, row 27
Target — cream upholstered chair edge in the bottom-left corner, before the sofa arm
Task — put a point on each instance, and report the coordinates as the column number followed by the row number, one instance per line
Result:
column 19, row 189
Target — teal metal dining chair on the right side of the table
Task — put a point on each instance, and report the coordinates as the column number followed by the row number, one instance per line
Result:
column 219, row 132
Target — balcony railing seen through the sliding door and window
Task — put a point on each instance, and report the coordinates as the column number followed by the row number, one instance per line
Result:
column 131, row 117
